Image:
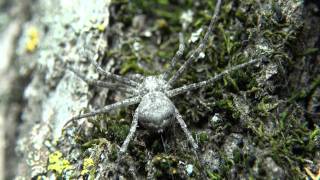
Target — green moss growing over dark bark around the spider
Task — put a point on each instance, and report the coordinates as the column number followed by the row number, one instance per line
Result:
column 245, row 30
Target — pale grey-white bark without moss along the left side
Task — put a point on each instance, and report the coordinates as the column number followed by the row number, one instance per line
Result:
column 61, row 32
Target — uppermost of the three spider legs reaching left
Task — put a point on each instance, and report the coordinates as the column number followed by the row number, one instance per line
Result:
column 114, row 77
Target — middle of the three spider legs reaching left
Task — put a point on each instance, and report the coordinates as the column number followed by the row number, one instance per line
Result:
column 113, row 86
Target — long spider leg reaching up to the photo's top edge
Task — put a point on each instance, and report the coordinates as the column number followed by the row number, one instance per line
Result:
column 195, row 55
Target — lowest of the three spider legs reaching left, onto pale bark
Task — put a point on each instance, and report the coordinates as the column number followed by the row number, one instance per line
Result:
column 123, row 103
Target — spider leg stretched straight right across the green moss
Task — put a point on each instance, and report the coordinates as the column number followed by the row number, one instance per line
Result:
column 209, row 82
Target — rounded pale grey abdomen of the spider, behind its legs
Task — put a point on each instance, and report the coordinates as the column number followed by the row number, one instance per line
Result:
column 156, row 111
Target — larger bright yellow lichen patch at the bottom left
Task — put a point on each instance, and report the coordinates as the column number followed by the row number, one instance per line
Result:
column 57, row 163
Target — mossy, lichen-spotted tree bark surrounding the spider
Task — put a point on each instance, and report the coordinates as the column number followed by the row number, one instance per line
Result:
column 259, row 122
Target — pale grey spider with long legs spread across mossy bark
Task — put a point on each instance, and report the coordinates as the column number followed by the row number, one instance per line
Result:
column 155, row 110
